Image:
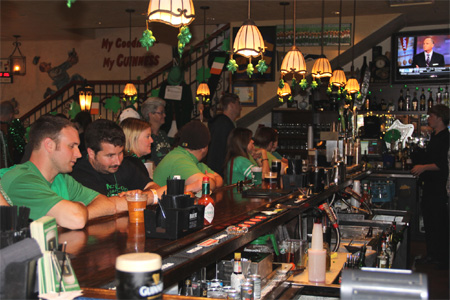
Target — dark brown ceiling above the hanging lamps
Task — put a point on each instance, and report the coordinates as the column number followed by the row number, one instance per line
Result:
column 53, row 20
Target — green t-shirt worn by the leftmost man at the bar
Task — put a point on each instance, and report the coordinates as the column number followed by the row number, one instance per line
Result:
column 25, row 186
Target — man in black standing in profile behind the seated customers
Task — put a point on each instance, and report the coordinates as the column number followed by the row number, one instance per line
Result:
column 220, row 127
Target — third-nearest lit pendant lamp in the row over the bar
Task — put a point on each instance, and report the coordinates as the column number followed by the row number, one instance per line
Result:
column 293, row 64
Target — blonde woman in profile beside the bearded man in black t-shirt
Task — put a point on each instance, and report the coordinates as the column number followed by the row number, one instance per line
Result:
column 138, row 141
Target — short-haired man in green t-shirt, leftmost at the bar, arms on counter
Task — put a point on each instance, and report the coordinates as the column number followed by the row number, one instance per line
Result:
column 43, row 185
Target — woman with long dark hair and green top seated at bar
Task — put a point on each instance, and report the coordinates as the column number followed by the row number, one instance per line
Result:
column 241, row 148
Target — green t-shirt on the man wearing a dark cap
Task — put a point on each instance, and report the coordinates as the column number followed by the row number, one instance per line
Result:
column 178, row 162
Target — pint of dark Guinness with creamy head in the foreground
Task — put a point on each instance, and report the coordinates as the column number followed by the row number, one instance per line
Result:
column 139, row 276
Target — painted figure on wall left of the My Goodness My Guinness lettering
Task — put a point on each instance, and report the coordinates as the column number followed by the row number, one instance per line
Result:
column 59, row 74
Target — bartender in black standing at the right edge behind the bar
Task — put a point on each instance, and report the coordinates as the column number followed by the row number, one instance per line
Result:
column 433, row 171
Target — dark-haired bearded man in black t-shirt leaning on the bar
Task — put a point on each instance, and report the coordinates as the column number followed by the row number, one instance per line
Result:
column 104, row 169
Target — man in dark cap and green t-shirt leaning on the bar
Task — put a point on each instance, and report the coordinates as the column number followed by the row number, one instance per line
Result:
column 185, row 160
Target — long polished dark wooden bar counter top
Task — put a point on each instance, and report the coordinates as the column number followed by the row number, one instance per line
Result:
column 95, row 248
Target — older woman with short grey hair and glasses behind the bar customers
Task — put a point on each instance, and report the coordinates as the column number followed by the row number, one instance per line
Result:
column 153, row 111
